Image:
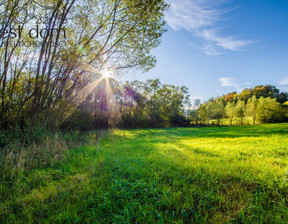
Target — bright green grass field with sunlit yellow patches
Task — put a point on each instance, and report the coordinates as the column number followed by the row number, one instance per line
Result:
column 176, row 175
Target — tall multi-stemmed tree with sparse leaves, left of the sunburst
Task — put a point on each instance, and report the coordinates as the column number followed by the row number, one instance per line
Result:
column 82, row 40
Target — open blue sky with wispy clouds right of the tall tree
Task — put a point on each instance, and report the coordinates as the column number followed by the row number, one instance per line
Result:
column 218, row 46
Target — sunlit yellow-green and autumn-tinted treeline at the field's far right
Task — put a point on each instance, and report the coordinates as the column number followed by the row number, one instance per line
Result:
column 262, row 104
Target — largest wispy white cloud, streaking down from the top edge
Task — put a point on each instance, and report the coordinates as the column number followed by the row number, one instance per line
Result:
column 201, row 17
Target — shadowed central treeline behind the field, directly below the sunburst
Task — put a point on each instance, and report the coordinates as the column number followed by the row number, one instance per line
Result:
column 134, row 104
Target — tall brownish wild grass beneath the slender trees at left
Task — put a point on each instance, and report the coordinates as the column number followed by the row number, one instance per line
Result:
column 21, row 156
